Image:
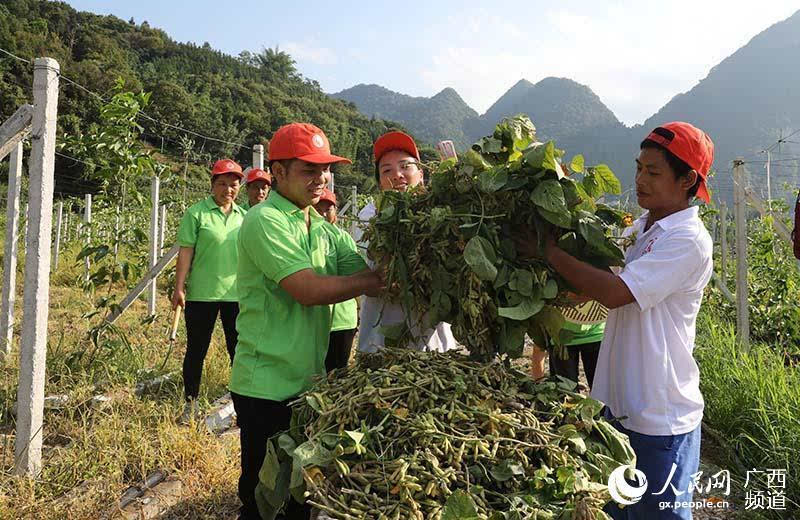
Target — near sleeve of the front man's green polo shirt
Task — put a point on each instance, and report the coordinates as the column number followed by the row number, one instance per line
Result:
column 269, row 242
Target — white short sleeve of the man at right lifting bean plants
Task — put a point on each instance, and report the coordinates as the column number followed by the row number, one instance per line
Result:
column 673, row 265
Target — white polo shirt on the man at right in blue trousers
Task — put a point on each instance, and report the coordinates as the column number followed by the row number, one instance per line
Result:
column 645, row 370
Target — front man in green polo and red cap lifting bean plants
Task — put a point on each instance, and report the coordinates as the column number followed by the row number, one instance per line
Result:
column 293, row 266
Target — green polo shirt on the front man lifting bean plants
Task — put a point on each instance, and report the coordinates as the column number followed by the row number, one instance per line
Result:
column 282, row 344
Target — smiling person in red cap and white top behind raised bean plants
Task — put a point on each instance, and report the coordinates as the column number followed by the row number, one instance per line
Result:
column 397, row 167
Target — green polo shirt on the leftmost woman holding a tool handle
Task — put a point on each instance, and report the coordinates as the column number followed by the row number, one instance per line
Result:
column 213, row 235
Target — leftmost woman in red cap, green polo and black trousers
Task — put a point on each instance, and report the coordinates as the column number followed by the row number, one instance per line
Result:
column 205, row 278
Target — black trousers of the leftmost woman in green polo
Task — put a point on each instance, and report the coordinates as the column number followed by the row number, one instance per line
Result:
column 200, row 319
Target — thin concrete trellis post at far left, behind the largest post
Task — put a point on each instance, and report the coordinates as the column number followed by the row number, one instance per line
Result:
column 11, row 250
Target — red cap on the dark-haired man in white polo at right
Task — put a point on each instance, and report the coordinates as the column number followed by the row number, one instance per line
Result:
column 691, row 145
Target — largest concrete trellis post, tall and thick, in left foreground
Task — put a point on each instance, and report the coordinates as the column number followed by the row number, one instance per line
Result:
column 36, row 291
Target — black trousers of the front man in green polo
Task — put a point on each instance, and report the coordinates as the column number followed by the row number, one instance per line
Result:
column 258, row 421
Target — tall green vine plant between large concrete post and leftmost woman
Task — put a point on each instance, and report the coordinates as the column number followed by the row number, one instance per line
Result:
column 122, row 167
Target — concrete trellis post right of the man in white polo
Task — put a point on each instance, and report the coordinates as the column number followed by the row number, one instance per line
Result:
column 740, row 210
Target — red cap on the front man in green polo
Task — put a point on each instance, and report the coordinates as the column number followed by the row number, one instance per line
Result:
column 302, row 141
